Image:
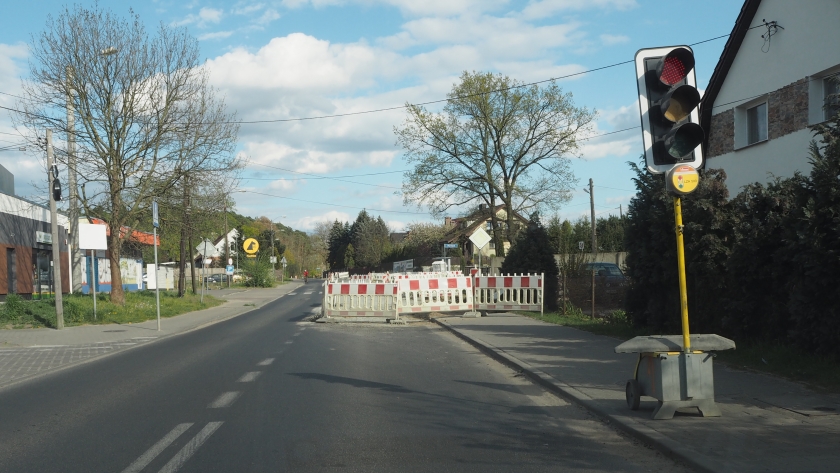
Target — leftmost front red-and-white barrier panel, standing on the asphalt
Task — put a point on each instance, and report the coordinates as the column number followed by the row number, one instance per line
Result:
column 360, row 300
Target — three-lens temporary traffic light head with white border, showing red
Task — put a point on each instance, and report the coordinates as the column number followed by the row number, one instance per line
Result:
column 668, row 101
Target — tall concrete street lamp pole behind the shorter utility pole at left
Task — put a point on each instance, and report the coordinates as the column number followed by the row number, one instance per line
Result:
column 73, row 193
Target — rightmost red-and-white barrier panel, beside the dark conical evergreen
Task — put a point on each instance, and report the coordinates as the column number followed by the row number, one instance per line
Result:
column 516, row 292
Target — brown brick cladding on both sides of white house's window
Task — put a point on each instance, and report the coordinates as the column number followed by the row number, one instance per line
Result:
column 787, row 112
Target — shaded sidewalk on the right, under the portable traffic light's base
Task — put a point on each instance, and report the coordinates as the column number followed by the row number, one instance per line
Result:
column 767, row 424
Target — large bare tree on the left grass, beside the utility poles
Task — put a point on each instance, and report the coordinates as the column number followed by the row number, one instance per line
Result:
column 145, row 116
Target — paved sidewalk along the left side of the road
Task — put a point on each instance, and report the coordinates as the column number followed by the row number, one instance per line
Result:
column 27, row 353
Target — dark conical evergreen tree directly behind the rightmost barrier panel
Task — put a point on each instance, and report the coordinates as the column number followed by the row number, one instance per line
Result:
column 532, row 253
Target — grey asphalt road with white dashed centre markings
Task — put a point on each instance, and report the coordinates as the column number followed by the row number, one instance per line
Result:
column 269, row 391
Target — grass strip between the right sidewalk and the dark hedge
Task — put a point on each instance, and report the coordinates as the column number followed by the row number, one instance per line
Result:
column 820, row 373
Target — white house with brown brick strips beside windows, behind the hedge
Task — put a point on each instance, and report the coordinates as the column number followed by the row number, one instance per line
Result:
column 769, row 86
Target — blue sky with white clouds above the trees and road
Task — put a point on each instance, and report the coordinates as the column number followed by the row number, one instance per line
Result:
column 307, row 58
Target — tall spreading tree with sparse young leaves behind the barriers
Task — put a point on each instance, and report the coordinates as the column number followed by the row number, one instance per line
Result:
column 497, row 142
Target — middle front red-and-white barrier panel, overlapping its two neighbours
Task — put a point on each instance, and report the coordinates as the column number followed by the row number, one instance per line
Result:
column 449, row 294
